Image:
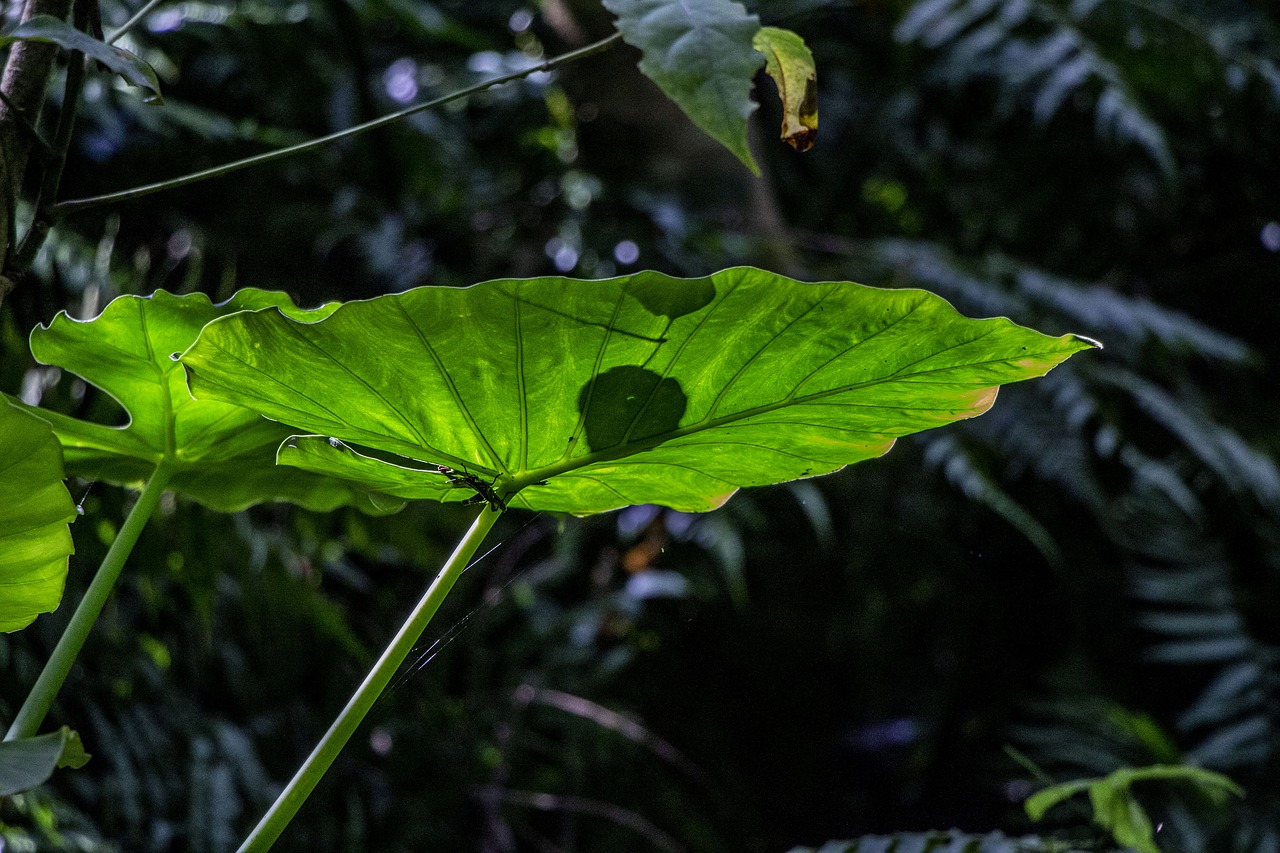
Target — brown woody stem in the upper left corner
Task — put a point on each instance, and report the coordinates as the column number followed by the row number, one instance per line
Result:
column 26, row 76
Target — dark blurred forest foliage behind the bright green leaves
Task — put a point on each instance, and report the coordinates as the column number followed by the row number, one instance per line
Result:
column 1089, row 574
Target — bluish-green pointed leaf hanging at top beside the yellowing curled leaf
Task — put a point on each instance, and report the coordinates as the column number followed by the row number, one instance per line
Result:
column 700, row 53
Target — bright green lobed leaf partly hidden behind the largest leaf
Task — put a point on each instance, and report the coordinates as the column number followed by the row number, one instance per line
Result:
column 221, row 454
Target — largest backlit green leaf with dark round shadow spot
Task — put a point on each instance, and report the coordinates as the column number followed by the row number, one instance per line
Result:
column 587, row 396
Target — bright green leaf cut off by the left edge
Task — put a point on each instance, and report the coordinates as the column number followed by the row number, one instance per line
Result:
column 35, row 509
